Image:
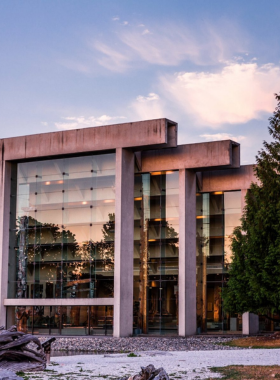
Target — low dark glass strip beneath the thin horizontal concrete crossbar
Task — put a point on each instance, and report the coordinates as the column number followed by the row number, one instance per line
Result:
column 63, row 320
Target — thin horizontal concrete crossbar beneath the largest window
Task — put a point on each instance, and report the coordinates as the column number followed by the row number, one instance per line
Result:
column 59, row 302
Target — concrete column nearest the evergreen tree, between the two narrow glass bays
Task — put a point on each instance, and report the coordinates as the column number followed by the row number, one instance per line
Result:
column 187, row 252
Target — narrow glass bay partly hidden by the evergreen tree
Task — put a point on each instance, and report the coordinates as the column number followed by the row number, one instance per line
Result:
column 217, row 215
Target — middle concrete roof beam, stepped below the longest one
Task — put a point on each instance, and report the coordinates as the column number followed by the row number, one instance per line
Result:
column 201, row 156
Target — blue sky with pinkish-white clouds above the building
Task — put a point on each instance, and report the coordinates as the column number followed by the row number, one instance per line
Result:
column 211, row 66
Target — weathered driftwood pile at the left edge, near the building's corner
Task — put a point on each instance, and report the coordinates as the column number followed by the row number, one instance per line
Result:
column 15, row 355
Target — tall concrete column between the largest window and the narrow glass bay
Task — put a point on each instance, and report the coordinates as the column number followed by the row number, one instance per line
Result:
column 124, row 234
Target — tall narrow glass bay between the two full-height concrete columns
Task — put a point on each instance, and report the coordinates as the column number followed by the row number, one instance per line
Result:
column 156, row 248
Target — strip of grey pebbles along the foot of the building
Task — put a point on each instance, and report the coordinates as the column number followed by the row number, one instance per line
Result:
column 118, row 345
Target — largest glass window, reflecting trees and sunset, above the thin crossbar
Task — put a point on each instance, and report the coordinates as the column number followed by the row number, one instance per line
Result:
column 62, row 233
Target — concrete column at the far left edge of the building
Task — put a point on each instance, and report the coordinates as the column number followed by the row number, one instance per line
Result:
column 5, row 186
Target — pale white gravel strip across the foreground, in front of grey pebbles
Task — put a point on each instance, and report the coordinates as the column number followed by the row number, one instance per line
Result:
column 178, row 364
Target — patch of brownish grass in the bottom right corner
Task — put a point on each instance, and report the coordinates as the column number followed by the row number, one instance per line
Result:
column 250, row 372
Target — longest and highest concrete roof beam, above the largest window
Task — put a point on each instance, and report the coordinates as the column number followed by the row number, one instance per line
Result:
column 156, row 133
